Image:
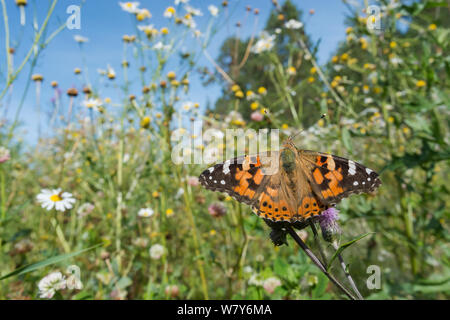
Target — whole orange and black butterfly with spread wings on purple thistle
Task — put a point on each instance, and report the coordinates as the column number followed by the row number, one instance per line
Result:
column 291, row 185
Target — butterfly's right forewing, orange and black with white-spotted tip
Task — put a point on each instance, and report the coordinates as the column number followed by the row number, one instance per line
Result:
column 333, row 178
